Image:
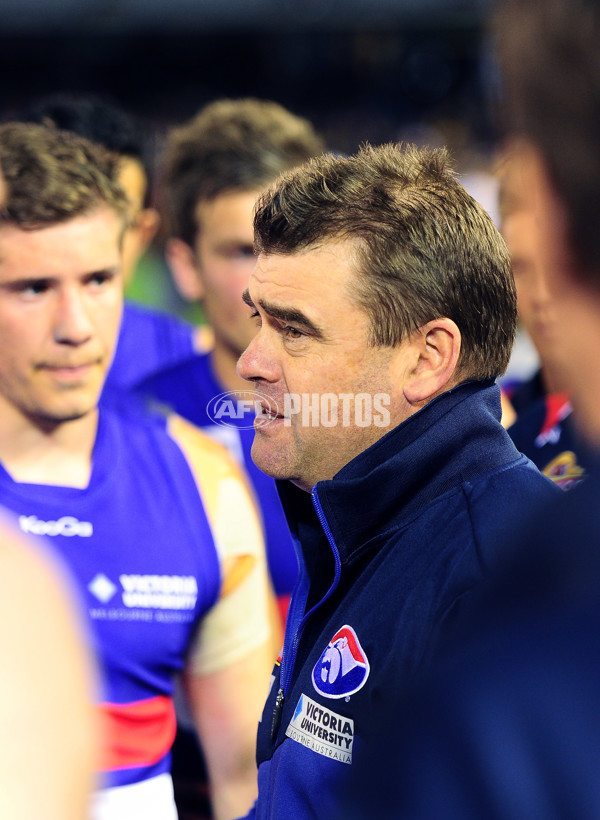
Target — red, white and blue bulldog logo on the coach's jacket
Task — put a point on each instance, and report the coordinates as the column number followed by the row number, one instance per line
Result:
column 343, row 667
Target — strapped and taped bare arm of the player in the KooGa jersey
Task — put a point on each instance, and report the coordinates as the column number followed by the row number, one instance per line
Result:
column 228, row 668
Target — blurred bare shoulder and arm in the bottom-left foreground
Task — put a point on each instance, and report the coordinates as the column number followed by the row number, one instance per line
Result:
column 48, row 750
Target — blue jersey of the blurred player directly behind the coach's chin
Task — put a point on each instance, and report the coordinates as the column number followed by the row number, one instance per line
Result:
column 190, row 389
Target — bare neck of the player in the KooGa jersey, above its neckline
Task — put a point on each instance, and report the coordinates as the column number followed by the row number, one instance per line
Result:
column 59, row 455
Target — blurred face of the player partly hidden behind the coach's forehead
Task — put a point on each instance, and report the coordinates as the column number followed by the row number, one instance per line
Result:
column 225, row 260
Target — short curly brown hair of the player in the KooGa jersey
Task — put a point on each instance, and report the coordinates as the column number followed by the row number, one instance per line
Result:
column 52, row 176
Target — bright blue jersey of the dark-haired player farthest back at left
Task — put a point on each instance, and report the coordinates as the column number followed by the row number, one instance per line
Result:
column 149, row 340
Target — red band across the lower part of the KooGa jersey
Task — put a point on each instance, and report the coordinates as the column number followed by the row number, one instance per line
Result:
column 136, row 734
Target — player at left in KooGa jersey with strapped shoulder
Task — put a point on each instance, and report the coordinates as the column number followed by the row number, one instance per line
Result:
column 153, row 519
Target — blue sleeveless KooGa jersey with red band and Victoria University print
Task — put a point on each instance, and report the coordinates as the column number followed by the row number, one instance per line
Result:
column 138, row 543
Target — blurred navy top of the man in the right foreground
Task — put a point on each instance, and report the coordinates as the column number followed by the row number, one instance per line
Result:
column 505, row 725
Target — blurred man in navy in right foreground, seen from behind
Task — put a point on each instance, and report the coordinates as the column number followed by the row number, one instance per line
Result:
column 507, row 724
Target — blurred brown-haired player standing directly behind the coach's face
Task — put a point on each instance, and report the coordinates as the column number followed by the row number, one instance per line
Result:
column 216, row 165
